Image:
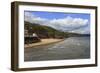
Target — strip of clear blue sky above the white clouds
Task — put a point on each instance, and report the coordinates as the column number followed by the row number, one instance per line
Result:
column 59, row 15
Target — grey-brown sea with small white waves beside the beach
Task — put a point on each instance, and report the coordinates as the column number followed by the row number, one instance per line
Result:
column 70, row 48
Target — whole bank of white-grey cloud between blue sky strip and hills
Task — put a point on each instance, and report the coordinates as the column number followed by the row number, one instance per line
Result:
column 66, row 24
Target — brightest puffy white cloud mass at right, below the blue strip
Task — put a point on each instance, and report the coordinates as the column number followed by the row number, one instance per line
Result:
column 69, row 22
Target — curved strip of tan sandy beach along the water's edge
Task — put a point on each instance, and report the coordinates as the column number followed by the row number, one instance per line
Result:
column 43, row 42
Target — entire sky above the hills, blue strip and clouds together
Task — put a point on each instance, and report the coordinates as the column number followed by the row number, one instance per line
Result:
column 68, row 22
